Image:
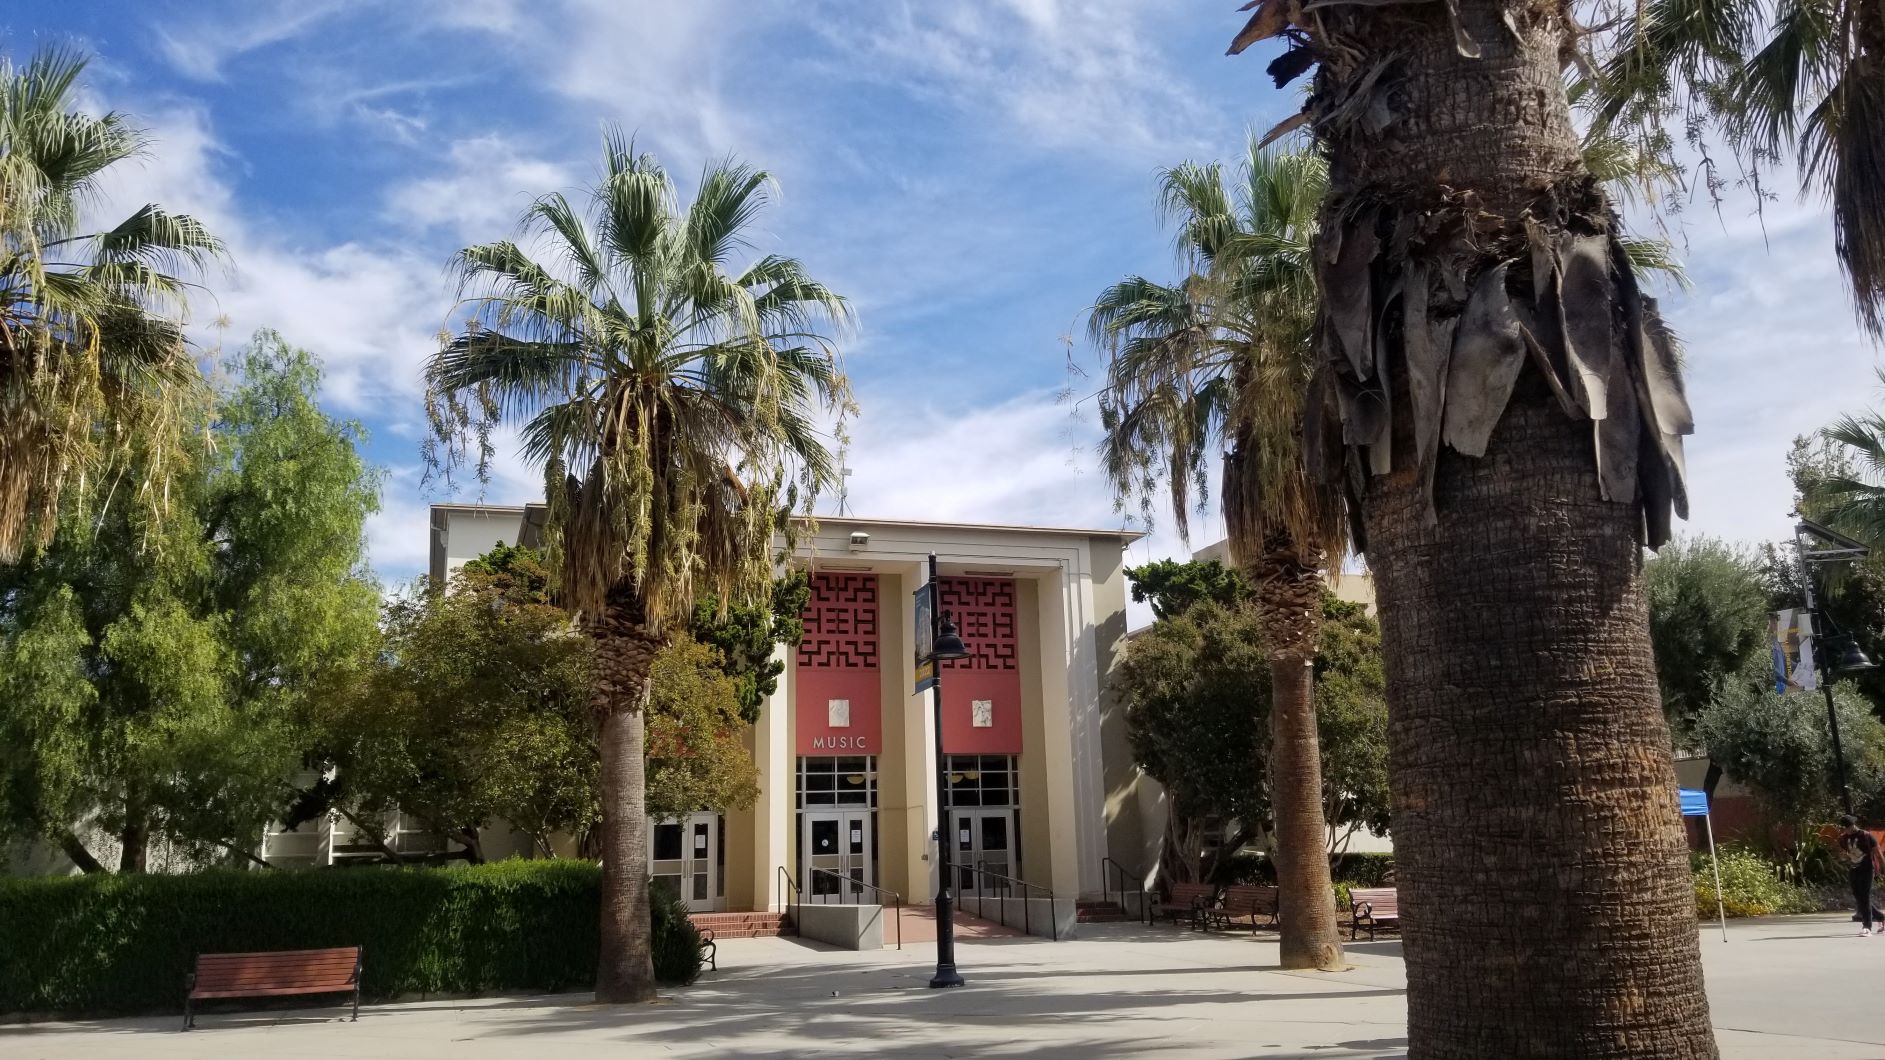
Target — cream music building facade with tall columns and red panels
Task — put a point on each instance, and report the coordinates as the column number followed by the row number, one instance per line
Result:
column 1040, row 774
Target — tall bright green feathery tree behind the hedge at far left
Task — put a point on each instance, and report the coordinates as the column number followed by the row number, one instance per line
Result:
column 157, row 665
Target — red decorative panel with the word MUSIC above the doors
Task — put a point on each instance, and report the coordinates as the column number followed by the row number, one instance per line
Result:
column 840, row 665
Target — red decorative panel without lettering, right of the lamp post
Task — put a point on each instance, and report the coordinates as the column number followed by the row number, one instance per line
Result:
column 983, row 610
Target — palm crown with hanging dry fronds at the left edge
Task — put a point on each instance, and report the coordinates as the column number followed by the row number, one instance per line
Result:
column 91, row 323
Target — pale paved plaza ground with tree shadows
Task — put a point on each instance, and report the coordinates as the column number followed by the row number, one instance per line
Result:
column 1782, row 989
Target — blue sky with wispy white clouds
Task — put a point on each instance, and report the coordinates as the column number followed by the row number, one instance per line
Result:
column 970, row 174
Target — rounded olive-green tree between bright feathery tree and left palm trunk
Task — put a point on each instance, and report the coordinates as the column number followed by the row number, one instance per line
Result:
column 476, row 710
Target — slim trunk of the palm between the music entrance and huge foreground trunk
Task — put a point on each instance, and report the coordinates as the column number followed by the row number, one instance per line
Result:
column 1290, row 605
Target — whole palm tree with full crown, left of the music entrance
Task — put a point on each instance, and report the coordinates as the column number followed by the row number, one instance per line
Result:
column 672, row 406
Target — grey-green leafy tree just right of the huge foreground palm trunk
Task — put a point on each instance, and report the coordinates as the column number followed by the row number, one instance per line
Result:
column 1709, row 612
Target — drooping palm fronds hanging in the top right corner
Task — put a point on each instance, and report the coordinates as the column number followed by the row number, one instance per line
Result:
column 1801, row 78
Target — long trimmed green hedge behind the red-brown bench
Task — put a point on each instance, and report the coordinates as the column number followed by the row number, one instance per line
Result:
column 125, row 942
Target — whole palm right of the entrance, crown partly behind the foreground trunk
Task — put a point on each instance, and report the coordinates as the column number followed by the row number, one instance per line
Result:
column 1222, row 361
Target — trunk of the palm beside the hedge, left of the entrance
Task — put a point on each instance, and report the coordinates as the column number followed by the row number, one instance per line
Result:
column 625, row 655
